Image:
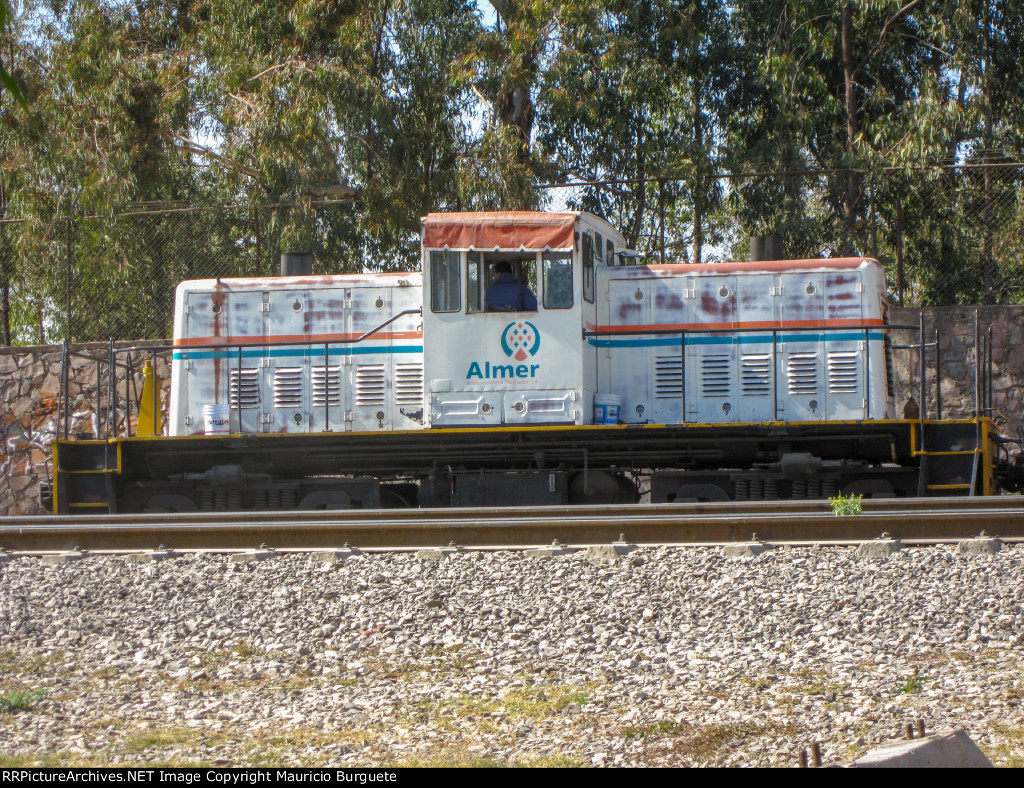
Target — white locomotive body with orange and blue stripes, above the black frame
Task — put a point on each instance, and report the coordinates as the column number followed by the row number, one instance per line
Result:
column 731, row 343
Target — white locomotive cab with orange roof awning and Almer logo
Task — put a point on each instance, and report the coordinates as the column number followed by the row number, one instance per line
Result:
column 507, row 297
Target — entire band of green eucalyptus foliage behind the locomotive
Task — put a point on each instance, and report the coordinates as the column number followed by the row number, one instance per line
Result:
column 420, row 106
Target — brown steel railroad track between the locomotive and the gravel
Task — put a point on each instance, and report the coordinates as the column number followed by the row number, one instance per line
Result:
column 912, row 520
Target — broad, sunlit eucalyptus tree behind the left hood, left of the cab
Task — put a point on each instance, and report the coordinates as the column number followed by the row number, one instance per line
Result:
column 368, row 97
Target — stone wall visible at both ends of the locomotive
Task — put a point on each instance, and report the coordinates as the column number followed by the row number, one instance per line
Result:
column 30, row 379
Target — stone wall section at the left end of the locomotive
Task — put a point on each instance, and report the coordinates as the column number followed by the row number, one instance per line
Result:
column 30, row 379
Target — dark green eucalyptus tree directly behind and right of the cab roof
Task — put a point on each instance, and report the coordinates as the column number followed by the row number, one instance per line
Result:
column 634, row 100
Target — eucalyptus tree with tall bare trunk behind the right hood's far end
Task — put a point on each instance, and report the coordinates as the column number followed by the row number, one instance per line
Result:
column 832, row 79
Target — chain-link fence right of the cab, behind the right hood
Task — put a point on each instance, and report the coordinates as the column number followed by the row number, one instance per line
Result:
column 948, row 236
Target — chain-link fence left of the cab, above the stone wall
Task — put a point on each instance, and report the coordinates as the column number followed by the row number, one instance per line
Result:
column 94, row 279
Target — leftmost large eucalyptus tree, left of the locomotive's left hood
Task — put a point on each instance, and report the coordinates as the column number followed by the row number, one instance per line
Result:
column 113, row 95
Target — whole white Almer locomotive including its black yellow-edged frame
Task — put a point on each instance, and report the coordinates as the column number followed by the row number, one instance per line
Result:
column 673, row 382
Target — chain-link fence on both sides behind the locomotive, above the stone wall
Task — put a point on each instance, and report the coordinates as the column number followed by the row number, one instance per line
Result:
column 946, row 237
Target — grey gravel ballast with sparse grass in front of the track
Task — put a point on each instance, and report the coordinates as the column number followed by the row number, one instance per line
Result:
column 667, row 656
